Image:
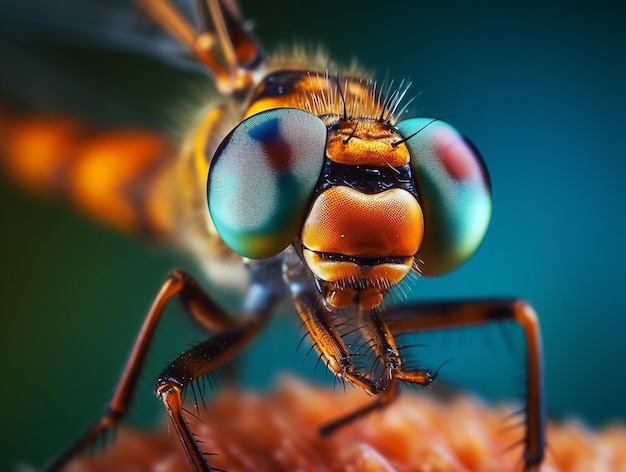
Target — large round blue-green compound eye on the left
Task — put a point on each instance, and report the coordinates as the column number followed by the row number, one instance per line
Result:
column 262, row 178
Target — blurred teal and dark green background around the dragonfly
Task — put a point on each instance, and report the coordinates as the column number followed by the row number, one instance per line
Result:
column 539, row 88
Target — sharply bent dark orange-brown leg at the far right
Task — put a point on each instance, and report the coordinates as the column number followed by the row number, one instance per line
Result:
column 435, row 315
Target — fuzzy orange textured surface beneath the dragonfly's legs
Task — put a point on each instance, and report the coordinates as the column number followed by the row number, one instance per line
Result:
column 250, row 432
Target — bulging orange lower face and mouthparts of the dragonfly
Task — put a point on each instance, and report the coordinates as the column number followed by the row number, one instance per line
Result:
column 346, row 222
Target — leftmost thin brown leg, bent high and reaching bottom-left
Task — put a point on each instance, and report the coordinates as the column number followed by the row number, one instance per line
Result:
column 197, row 304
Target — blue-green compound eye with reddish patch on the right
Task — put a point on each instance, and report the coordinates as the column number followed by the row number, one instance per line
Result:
column 454, row 190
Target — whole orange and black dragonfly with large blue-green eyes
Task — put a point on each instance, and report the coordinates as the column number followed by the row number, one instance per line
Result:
column 302, row 182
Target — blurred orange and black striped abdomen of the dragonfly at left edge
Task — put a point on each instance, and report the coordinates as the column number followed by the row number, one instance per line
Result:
column 113, row 175
